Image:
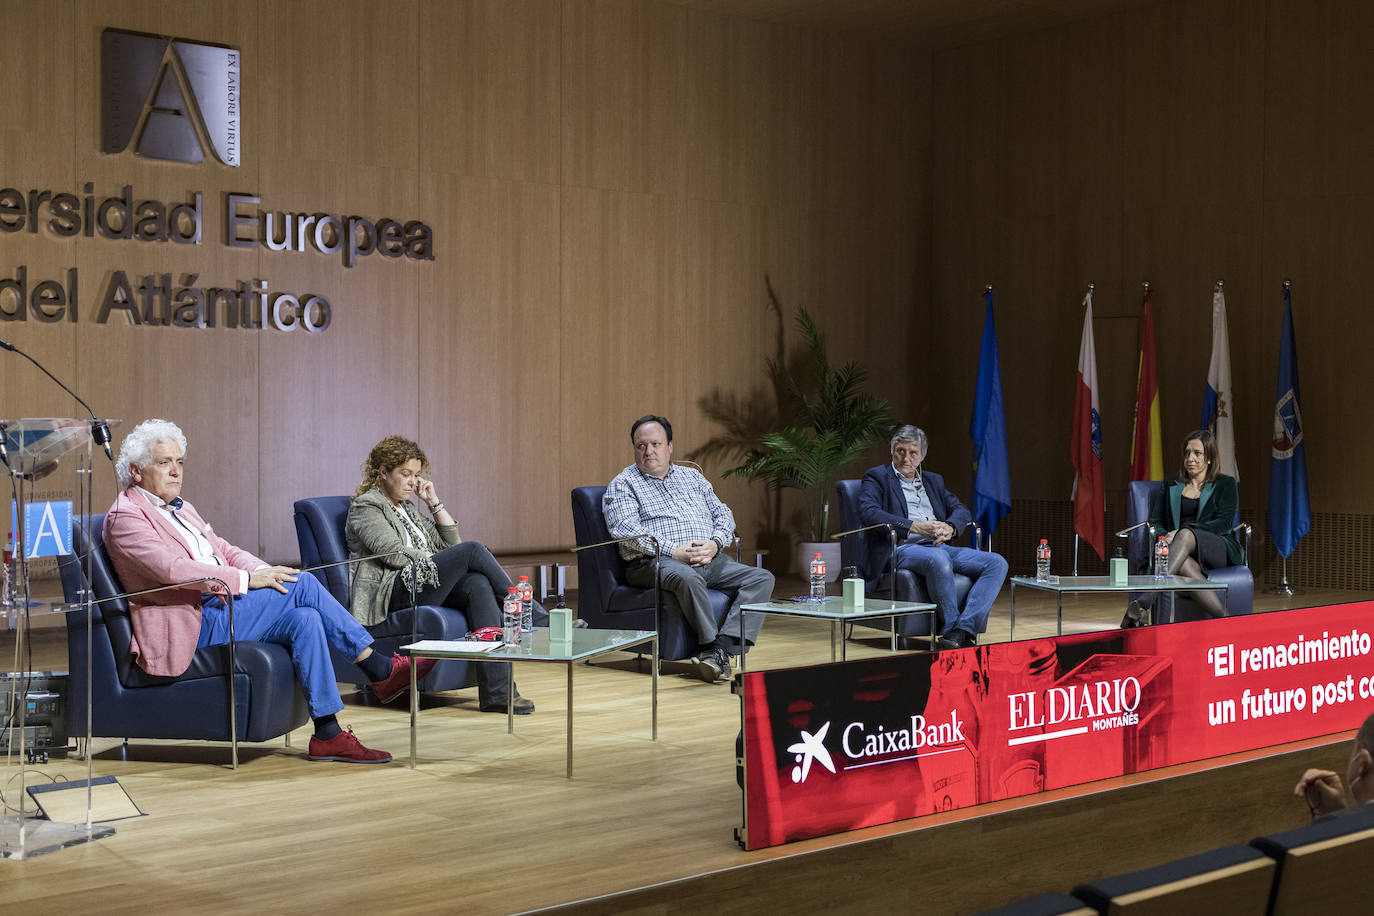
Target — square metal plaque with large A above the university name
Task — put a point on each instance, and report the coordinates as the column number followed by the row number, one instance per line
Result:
column 168, row 98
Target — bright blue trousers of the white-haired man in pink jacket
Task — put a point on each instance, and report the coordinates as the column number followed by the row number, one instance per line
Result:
column 307, row 621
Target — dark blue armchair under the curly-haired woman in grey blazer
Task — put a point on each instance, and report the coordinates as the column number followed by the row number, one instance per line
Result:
column 319, row 531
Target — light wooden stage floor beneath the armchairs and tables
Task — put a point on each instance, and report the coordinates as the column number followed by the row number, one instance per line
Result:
column 487, row 825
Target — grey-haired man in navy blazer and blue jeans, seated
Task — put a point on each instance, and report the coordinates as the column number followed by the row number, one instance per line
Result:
column 928, row 517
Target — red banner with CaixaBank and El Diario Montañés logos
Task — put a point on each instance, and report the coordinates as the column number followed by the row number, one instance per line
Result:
column 837, row 748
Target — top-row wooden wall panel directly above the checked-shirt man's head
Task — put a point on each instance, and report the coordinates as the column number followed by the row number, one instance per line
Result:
column 624, row 69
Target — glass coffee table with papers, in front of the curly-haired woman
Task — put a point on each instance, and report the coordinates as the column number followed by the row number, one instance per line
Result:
column 585, row 646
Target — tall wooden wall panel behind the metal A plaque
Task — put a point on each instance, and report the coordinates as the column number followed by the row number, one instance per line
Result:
column 203, row 380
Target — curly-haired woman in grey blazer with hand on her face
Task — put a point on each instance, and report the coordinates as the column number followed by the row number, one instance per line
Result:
column 427, row 556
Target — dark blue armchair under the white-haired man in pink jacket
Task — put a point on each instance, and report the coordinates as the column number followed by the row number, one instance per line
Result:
column 127, row 702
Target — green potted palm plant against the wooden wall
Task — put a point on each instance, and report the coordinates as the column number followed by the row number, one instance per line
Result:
column 833, row 424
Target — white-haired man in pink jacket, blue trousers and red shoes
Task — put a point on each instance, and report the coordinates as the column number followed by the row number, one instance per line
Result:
column 155, row 538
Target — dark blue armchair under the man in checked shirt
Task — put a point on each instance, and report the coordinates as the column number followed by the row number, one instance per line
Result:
column 605, row 601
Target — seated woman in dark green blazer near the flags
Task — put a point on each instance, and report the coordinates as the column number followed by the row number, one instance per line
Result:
column 1196, row 514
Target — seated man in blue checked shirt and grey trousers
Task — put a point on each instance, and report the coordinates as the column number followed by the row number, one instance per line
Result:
column 679, row 507
